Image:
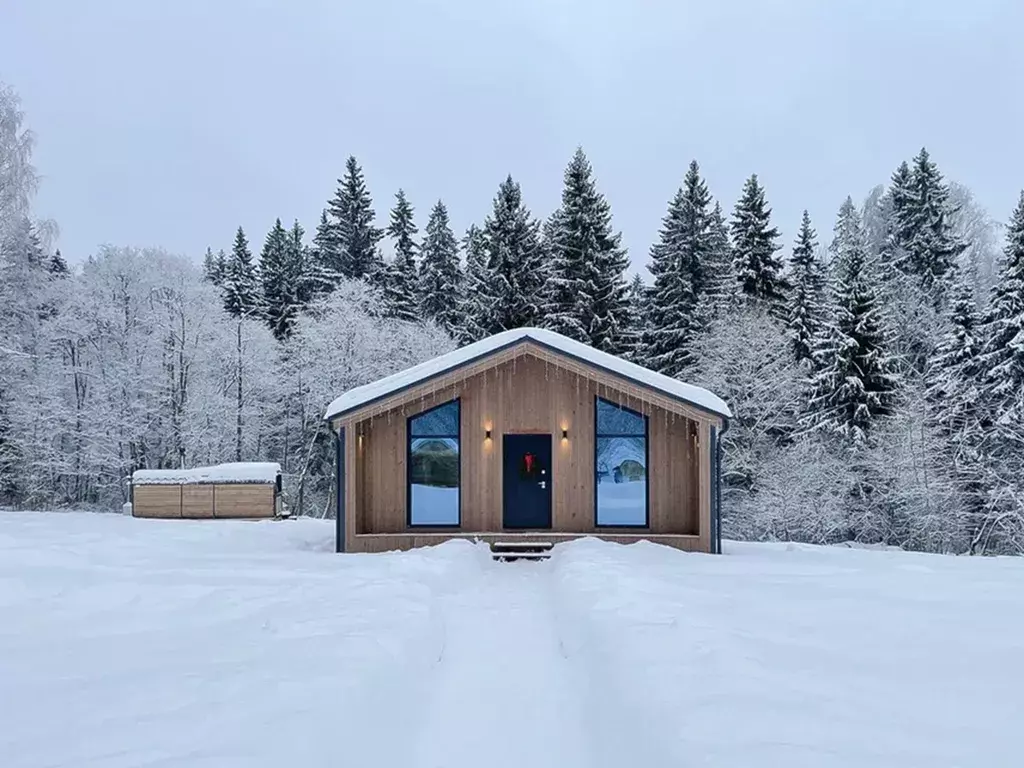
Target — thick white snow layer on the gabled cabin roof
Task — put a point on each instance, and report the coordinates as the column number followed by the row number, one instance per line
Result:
column 366, row 395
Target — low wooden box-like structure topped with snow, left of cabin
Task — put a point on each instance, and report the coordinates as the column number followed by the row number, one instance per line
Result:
column 238, row 490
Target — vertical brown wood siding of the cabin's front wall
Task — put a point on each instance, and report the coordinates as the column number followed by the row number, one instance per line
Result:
column 525, row 394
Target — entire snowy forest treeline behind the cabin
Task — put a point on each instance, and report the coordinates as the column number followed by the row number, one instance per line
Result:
column 876, row 379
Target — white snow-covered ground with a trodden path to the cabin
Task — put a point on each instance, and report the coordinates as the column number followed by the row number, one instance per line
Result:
column 129, row 643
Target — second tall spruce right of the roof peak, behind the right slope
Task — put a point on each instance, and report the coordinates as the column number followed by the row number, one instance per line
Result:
column 678, row 300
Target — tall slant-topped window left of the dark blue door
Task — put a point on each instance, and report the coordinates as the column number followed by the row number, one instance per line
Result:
column 434, row 466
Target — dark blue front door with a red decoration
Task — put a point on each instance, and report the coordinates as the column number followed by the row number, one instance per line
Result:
column 528, row 481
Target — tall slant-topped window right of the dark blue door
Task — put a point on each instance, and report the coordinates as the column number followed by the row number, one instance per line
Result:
column 621, row 463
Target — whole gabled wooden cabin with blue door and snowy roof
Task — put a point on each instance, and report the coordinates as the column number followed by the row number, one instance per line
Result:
column 530, row 437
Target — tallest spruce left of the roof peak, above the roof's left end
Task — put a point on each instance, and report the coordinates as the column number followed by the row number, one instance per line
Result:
column 352, row 250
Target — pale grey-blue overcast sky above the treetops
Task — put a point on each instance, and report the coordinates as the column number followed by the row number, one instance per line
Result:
column 172, row 123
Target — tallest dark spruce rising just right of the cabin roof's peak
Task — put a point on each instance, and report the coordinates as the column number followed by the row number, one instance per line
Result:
column 586, row 298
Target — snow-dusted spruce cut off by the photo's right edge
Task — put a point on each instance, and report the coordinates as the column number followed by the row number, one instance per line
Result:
column 1003, row 358
